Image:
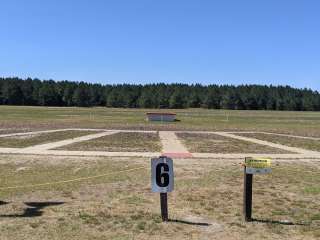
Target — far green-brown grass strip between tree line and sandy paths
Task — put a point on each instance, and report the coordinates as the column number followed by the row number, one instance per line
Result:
column 300, row 123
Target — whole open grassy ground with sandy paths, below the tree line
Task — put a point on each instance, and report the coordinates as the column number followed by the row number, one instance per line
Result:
column 99, row 160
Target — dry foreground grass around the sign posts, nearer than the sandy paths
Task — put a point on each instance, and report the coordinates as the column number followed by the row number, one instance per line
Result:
column 206, row 203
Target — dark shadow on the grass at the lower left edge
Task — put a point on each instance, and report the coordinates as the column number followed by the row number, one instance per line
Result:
column 33, row 209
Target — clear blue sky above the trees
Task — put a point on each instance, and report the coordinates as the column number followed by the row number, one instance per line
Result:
column 144, row 41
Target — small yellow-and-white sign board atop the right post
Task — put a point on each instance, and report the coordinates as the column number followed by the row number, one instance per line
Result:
column 258, row 165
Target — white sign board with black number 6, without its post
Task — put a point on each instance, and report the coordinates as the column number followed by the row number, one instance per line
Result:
column 162, row 174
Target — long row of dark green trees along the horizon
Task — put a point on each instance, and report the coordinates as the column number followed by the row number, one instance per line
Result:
column 34, row 92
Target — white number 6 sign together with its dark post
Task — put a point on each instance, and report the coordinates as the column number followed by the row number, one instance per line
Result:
column 162, row 181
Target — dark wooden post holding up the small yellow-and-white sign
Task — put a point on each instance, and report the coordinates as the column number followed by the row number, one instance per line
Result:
column 247, row 196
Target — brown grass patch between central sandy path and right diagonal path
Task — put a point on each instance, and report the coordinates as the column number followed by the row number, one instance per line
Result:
column 212, row 143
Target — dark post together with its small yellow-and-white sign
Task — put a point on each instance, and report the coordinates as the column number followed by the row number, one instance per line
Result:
column 252, row 166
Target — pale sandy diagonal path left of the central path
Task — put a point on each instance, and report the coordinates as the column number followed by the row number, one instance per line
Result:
column 52, row 145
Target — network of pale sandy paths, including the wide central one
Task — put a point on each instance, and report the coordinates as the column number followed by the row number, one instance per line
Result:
column 170, row 142
